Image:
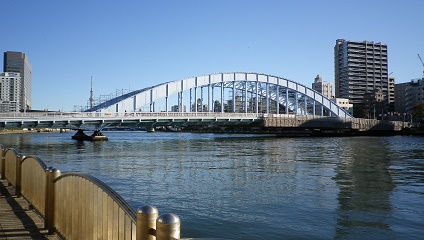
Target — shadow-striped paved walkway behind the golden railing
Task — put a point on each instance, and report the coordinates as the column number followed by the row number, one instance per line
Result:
column 16, row 220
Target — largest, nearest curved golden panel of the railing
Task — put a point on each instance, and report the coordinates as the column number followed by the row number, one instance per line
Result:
column 93, row 205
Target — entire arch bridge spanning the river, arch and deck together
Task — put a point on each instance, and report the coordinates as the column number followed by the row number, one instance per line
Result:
column 228, row 101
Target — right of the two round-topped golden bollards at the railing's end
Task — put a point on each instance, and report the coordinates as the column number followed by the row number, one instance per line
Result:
column 168, row 227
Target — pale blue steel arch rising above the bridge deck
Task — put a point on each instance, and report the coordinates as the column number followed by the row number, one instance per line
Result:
column 266, row 92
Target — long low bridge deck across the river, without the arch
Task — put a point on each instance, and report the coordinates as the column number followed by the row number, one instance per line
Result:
column 96, row 121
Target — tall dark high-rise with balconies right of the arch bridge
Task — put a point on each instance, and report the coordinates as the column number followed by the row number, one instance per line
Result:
column 361, row 68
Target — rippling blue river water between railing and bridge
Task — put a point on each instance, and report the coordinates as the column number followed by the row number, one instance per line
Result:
column 255, row 187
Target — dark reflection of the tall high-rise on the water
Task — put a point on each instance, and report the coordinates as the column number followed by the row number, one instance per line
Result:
column 365, row 185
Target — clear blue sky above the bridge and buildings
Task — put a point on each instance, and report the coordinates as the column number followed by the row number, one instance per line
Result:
column 132, row 44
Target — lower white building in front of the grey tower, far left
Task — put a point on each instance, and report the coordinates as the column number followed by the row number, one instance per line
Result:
column 10, row 92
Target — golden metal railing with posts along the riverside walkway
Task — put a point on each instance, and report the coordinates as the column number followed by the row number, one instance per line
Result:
column 79, row 206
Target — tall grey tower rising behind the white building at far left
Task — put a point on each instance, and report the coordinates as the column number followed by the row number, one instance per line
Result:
column 18, row 62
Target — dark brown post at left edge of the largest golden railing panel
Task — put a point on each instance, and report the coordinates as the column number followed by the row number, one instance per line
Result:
column 51, row 175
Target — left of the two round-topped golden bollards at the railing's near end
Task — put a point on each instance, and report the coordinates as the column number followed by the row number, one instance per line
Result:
column 146, row 223
